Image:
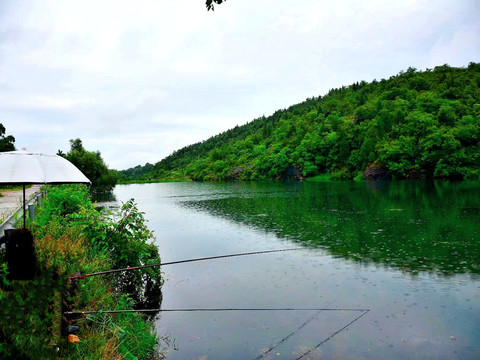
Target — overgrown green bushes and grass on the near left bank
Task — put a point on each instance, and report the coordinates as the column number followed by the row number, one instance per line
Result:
column 72, row 236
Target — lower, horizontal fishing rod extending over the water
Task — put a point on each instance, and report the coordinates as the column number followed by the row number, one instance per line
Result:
column 93, row 312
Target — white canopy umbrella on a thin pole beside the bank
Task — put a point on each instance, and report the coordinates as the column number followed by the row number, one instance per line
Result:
column 24, row 168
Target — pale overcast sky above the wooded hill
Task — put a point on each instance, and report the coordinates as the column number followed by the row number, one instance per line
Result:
column 137, row 80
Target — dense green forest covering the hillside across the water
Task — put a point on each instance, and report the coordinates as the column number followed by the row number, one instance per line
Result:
column 417, row 124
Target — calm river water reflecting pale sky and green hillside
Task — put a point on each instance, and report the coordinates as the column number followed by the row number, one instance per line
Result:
column 395, row 266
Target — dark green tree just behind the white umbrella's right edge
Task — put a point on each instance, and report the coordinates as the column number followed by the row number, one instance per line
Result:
column 92, row 165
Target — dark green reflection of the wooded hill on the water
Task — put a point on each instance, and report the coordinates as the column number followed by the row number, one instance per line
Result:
column 412, row 226
